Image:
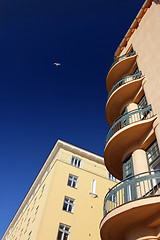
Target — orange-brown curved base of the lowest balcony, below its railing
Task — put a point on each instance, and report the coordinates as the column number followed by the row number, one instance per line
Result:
column 117, row 223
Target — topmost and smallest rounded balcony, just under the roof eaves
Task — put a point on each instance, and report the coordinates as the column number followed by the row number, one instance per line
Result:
column 120, row 68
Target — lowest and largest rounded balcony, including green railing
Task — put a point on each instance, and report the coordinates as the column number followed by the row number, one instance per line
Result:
column 129, row 203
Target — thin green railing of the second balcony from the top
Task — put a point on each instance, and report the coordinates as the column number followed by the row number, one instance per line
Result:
column 125, row 80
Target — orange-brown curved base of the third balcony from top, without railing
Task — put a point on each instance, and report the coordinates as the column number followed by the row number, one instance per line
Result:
column 123, row 143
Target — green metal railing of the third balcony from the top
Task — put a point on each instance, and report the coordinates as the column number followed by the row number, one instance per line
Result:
column 128, row 118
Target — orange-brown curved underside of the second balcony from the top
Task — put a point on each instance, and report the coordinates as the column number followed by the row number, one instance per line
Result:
column 120, row 98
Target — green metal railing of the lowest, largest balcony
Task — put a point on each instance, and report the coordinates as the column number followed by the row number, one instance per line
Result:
column 139, row 186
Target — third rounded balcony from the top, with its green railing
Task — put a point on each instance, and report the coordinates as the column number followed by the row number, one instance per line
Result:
column 126, row 135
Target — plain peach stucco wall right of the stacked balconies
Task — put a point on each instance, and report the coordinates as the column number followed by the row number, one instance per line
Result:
column 145, row 41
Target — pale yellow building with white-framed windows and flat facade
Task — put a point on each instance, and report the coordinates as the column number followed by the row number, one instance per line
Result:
column 65, row 201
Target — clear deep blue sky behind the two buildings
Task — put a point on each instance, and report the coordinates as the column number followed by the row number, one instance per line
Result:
column 40, row 102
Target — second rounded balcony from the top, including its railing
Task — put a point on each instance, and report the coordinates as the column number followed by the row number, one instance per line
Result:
column 121, row 94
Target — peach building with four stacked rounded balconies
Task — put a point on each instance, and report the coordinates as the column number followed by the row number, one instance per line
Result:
column 132, row 207
